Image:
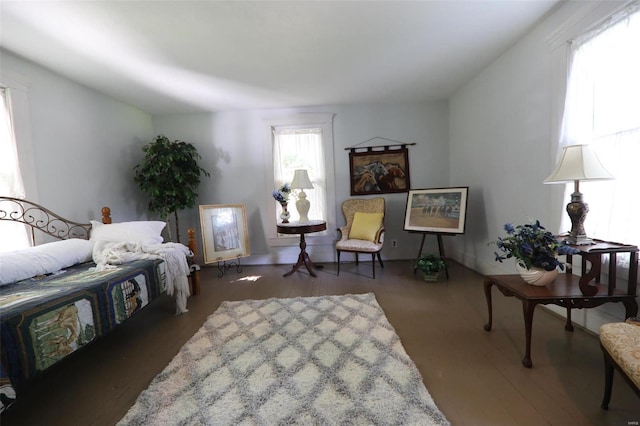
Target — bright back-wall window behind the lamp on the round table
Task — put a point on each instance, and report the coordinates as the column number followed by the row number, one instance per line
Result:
column 303, row 141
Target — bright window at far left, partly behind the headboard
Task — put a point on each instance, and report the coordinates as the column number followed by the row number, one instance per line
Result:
column 14, row 235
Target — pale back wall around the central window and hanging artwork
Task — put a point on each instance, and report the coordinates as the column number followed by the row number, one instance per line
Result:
column 234, row 147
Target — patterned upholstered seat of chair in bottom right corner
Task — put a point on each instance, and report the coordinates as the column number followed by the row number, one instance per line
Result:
column 622, row 341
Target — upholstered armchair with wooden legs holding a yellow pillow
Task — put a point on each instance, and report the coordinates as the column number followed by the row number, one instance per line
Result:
column 364, row 231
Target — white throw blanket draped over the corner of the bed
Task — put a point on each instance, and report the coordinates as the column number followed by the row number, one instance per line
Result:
column 107, row 254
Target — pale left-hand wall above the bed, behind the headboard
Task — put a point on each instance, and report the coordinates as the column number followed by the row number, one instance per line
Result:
column 83, row 144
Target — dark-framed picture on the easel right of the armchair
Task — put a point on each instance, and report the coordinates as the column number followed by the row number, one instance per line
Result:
column 437, row 210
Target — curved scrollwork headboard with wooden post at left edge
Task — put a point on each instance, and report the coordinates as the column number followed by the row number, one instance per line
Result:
column 44, row 220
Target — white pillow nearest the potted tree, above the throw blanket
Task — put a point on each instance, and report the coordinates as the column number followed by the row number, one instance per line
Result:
column 146, row 232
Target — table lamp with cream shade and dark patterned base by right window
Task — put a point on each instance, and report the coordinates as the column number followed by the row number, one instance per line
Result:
column 578, row 162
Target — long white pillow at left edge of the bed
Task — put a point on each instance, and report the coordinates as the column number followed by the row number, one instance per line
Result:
column 43, row 259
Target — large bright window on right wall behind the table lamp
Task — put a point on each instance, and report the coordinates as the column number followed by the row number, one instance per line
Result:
column 602, row 108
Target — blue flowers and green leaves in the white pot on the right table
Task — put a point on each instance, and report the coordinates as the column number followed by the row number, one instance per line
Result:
column 532, row 246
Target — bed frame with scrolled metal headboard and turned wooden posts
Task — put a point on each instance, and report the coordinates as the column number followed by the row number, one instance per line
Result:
column 41, row 219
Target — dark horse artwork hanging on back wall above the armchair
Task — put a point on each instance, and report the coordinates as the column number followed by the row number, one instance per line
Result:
column 379, row 172
